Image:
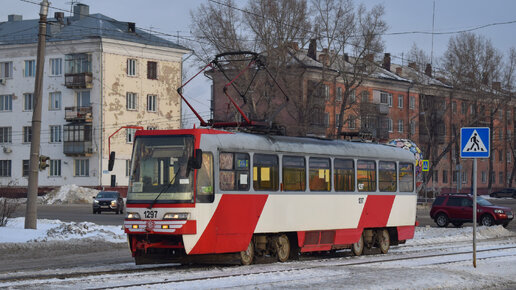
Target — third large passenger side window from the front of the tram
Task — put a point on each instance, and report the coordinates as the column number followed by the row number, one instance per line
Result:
column 294, row 173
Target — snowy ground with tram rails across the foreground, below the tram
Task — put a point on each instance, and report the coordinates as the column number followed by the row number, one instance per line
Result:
column 436, row 258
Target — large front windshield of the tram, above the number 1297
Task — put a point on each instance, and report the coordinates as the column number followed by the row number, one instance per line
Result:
column 160, row 171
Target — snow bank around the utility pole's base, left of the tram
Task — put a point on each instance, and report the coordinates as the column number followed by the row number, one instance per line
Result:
column 55, row 230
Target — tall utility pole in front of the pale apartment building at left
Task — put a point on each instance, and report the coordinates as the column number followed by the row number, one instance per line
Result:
column 32, row 195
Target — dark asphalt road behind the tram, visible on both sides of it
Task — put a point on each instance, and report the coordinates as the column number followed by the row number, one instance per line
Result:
column 83, row 213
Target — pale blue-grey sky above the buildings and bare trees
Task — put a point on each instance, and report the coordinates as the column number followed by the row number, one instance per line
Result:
column 173, row 17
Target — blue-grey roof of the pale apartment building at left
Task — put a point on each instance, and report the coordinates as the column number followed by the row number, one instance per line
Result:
column 83, row 26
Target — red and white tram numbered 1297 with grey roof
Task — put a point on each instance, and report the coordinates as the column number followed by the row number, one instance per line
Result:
column 199, row 192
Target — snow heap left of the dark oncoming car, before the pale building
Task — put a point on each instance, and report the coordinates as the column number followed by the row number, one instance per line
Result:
column 68, row 194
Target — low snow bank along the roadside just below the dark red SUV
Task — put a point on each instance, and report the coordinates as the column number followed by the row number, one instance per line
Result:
column 429, row 235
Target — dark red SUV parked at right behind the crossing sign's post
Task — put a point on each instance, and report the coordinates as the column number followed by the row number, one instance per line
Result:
column 458, row 209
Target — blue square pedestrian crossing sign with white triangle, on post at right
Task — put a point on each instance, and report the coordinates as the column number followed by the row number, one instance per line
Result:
column 475, row 142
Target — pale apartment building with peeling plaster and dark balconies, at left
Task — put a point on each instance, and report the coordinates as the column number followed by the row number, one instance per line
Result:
column 100, row 75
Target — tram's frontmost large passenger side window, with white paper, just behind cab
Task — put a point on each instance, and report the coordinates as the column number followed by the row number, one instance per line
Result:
column 234, row 171
